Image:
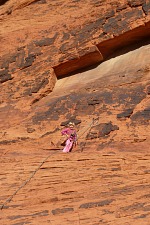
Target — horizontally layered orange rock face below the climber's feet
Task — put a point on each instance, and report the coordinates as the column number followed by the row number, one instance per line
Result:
column 78, row 188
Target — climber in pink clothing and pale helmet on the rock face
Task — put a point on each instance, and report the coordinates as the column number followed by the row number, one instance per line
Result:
column 71, row 136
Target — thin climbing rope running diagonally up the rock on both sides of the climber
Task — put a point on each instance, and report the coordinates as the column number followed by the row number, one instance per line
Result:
column 94, row 122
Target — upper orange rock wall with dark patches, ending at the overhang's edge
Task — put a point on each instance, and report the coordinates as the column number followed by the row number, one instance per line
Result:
column 39, row 36
